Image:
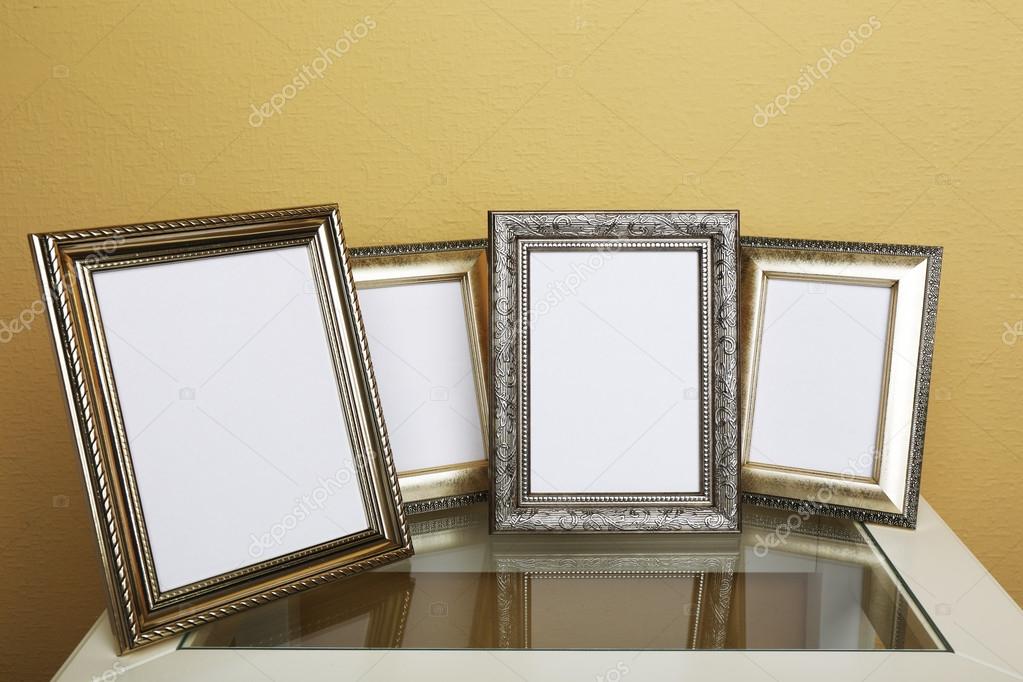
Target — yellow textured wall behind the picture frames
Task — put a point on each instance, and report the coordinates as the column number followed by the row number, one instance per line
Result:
column 125, row 112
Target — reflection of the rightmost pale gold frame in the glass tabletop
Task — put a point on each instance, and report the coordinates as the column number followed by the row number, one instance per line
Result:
column 814, row 582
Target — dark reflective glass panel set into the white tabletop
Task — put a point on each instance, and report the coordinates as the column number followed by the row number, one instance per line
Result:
column 787, row 582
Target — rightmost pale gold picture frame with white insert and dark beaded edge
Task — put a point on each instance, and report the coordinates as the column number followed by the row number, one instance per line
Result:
column 853, row 331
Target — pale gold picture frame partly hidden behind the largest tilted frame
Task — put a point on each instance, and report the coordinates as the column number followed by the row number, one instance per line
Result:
column 426, row 313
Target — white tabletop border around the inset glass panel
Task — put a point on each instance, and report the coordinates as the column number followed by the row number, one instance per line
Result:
column 978, row 619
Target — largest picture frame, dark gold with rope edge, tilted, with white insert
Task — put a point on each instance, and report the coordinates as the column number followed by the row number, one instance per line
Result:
column 226, row 413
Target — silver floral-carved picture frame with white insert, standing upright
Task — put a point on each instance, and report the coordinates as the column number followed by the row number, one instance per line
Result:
column 662, row 422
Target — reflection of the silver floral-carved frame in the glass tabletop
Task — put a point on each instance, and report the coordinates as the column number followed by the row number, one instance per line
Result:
column 579, row 596
